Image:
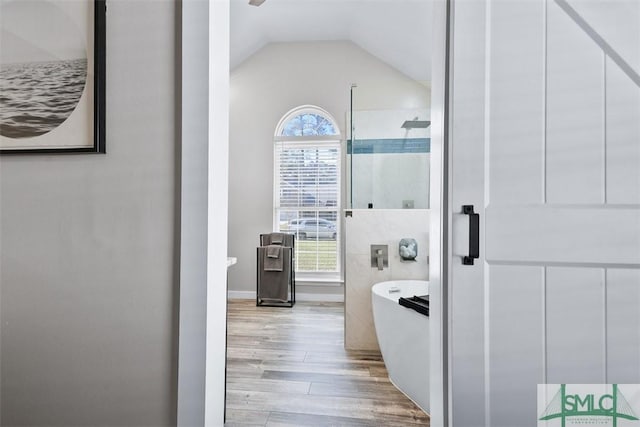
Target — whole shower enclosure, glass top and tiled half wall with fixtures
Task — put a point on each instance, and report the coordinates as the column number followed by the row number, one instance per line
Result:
column 387, row 194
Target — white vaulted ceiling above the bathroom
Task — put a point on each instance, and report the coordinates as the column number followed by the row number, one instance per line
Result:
column 396, row 31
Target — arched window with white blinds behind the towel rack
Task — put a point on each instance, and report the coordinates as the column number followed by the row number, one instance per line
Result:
column 307, row 189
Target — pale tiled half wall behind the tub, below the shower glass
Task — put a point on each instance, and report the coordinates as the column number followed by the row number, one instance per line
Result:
column 368, row 227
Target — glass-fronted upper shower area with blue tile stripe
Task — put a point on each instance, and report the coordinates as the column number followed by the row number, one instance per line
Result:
column 387, row 156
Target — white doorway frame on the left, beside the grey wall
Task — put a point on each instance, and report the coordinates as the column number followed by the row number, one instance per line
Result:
column 202, row 90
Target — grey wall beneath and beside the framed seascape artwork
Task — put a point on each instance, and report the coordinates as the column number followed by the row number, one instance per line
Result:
column 87, row 255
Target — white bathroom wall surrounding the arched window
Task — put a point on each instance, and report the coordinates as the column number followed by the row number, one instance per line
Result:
column 276, row 79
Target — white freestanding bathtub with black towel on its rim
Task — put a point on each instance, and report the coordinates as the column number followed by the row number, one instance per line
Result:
column 403, row 336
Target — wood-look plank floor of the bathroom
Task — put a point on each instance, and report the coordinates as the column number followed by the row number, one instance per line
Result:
column 288, row 367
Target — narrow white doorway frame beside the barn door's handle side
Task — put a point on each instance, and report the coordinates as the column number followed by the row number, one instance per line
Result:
column 440, row 225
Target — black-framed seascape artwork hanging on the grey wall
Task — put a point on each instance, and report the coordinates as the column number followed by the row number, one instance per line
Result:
column 52, row 76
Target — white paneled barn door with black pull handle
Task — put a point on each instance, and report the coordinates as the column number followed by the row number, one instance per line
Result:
column 545, row 144
